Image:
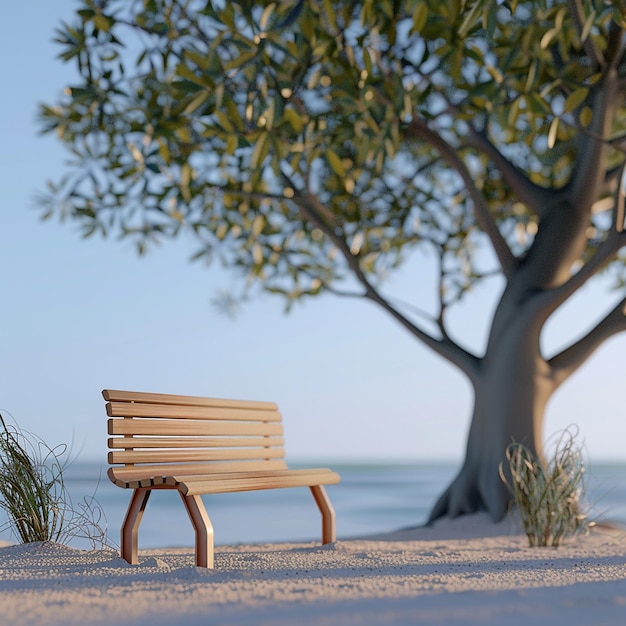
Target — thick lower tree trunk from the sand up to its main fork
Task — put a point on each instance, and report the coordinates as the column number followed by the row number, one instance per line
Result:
column 511, row 387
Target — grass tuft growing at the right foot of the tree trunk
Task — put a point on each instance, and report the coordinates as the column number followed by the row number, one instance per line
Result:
column 548, row 495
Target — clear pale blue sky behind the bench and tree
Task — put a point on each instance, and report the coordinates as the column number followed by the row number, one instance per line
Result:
column 78, row 316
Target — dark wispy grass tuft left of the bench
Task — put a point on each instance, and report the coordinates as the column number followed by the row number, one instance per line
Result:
column 34, row 496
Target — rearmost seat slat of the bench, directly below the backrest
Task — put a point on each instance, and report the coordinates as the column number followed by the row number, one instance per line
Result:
column 124, row 475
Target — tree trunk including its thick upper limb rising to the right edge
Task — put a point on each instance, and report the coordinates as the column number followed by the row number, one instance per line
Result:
column 513, row 382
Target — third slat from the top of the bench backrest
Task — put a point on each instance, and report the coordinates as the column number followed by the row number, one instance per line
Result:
column 190, row 428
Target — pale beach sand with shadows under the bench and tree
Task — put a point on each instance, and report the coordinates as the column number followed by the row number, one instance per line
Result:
column 463, row 571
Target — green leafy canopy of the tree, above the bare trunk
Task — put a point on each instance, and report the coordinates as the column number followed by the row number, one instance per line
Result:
column 315, row 140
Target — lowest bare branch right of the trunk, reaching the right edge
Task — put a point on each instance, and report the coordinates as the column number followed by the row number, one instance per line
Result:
column 565, row 363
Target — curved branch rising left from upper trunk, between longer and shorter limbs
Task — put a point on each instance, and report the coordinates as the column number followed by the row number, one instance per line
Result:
column 507, row 260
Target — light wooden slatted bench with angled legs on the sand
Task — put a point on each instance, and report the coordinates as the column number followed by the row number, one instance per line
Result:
column 200, row 446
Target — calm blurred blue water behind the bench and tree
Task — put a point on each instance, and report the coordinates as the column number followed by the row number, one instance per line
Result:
column 369, row 499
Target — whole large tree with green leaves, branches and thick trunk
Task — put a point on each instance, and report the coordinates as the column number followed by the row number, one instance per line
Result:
column 315, row 145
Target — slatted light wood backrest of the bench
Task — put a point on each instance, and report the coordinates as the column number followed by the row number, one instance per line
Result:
column 192, row 435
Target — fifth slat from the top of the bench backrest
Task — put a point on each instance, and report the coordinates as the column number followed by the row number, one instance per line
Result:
column 192, row 456
